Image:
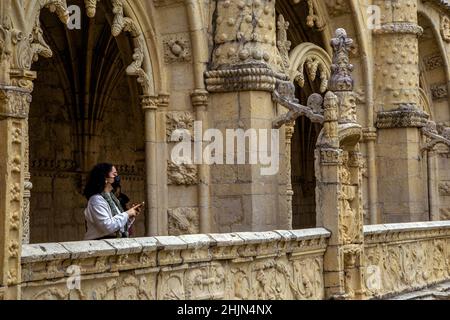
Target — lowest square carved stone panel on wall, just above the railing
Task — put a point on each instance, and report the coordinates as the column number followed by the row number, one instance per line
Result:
column 183, row 221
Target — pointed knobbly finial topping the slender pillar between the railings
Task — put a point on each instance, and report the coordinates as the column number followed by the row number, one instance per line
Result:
column 341, row 69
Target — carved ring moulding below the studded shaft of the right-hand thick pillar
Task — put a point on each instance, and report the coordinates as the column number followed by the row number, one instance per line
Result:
column 406, row 116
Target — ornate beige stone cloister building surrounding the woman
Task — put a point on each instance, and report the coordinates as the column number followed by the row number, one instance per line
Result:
column 358, row 89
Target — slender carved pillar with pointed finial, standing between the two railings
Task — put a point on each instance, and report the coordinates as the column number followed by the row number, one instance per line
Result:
column 339, row 180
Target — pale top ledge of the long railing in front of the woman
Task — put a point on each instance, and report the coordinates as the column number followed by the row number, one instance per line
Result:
column 50, row 260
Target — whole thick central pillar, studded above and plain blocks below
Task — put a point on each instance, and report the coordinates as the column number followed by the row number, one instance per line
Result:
column 245, row 68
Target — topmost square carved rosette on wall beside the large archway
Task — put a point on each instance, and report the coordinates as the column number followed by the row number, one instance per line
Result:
column 177, row 48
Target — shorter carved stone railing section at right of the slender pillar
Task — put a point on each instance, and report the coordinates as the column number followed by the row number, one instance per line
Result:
column 405, row 257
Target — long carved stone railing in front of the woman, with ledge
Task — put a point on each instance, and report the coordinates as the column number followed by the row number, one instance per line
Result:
column 263, row 265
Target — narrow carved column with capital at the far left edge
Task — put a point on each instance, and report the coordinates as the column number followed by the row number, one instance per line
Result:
column 14, row 108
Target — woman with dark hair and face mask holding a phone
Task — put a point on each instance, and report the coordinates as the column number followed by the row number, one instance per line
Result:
column 105, row 217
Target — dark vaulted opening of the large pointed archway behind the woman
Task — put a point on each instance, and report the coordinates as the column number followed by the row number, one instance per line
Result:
column 85, row 110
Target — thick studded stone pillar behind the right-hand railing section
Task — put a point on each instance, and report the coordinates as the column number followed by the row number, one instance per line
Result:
column 401, row 194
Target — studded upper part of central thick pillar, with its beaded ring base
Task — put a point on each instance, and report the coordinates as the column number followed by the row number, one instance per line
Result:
column 245, row 55
